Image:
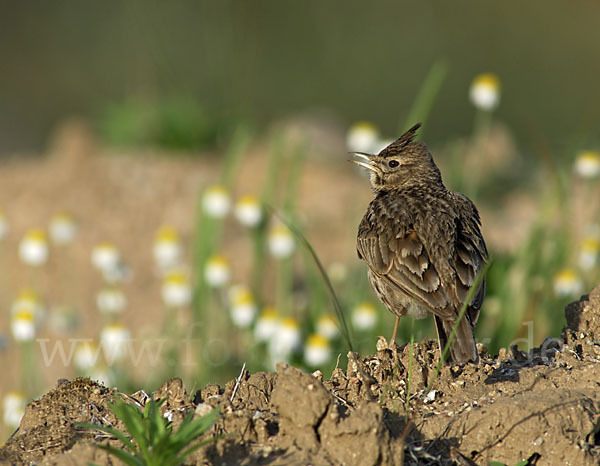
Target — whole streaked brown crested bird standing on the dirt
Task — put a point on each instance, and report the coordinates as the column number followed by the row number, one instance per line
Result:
column 422, row 243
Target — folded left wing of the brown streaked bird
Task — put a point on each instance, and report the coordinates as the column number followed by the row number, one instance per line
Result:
column 395, row 253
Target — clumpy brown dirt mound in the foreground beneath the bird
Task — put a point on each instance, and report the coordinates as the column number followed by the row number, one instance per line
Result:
column 542, row 406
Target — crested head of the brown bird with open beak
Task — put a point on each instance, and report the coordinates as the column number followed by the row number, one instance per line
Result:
column 404, row 162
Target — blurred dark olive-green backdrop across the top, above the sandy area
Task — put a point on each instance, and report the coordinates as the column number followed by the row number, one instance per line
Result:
column 257, row 61
